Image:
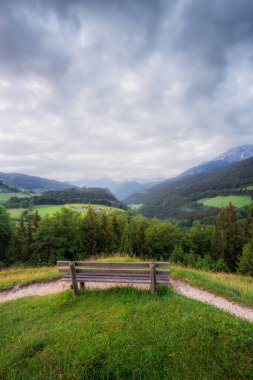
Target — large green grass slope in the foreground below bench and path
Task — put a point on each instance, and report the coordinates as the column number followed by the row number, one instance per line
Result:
column 122, row 333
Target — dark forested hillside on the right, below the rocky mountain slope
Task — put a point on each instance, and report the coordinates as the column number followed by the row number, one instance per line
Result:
column 177, row 197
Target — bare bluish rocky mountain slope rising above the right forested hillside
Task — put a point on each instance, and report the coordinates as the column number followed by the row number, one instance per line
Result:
column 225, row 159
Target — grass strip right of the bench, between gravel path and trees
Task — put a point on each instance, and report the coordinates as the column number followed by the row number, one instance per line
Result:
column 234, row 287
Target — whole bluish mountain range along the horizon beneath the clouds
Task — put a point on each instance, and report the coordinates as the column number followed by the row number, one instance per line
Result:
column 159, row 197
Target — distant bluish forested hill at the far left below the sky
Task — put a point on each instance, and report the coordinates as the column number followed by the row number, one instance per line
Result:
column 31, row 183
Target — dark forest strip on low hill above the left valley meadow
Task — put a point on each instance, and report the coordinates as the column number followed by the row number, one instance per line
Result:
column 65, row 196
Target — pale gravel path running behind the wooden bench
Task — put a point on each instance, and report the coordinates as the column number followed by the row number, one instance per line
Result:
column 180, row 286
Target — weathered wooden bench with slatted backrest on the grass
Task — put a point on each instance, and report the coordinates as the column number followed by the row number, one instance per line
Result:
column 122, row 272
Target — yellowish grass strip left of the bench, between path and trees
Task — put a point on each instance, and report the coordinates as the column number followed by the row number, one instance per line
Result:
column 24, row 276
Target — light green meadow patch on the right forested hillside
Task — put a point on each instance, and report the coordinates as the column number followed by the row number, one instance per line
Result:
column 237, row 200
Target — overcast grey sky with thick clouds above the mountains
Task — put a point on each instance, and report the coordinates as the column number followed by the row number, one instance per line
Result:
column 123, row 88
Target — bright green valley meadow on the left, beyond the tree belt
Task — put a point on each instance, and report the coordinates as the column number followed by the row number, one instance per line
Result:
column 44, row 210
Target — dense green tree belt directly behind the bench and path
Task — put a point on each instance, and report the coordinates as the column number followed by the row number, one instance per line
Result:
column 227, row 245
